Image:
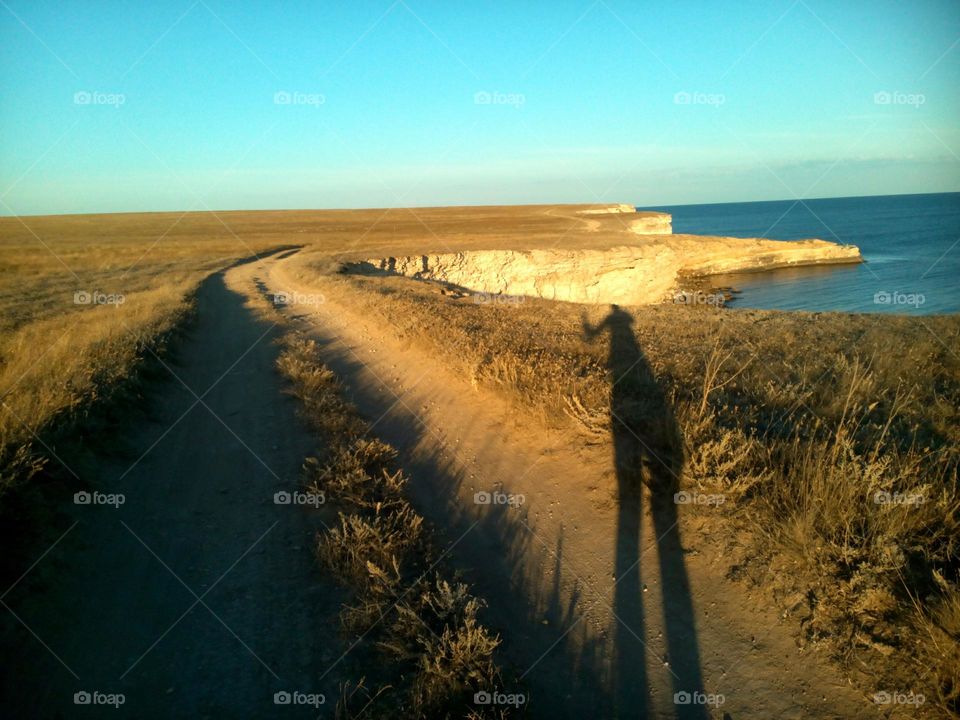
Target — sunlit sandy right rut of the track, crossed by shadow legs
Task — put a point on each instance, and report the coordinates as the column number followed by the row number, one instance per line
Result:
column 600, row 617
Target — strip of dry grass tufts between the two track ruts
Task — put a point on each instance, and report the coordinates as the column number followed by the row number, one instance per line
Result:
column 435, row 652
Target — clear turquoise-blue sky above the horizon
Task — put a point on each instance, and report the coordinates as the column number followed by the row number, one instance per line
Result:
column 125, row 105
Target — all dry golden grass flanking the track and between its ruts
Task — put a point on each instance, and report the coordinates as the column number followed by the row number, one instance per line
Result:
column 834, row 438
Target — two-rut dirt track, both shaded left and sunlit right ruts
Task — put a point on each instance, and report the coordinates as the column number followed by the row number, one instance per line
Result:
column 607, row 608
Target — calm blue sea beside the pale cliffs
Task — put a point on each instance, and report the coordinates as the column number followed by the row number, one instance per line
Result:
column 911, row 244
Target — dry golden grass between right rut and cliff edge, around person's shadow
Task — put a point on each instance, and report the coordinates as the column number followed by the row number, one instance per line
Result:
column 834, row 437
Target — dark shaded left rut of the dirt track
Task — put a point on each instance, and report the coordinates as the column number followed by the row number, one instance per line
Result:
column 116, row 600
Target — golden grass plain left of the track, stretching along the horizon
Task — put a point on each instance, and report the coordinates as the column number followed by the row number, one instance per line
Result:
column 58, row 358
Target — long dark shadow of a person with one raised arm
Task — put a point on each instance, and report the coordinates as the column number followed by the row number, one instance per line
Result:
column 647, row 452
